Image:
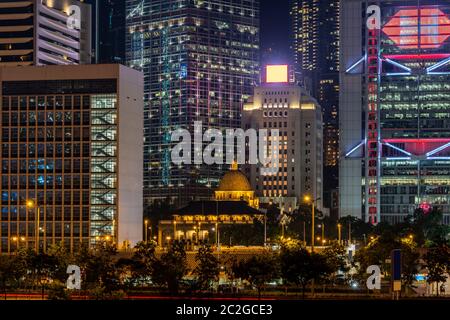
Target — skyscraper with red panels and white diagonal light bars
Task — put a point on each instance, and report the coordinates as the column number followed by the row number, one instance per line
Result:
column 394, row 109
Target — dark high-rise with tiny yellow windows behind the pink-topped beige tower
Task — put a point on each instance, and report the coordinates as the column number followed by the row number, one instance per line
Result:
column 315, row 32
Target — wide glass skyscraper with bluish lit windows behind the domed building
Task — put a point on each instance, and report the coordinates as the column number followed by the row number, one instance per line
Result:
column 200, row 63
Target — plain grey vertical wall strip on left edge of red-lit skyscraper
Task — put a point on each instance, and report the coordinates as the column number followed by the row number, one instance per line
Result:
column 350, row 109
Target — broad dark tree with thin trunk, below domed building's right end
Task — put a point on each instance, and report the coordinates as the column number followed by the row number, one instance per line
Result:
column 258, row 270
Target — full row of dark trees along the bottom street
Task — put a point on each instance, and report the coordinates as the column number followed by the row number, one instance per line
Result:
column 105, row 275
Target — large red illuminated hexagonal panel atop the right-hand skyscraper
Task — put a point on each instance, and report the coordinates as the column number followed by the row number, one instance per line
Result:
column 403, row 28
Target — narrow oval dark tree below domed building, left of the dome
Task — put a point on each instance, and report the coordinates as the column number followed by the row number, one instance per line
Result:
column 207, row 270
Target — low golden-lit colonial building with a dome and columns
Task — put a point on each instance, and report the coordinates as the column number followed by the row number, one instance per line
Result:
column 234, row 203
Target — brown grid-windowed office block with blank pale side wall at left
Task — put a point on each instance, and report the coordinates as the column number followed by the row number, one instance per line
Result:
column 71, row 156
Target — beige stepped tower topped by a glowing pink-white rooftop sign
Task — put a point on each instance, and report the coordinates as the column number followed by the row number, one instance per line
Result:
column 280, row 104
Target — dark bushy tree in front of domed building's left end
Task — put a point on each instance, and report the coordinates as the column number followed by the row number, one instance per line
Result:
column 169, row 270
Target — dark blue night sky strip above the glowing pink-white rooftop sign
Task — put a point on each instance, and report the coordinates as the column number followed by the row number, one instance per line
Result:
column 275, row 30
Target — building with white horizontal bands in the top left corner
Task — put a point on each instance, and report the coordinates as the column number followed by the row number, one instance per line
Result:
column 45, row 32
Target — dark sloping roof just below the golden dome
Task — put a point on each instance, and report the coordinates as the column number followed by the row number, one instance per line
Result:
column 212, row 207
